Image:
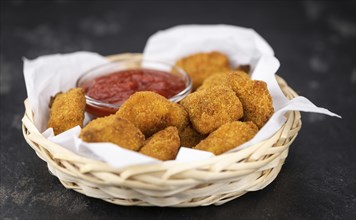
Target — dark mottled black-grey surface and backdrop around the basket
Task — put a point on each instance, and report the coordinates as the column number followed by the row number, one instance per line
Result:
column 314, row 41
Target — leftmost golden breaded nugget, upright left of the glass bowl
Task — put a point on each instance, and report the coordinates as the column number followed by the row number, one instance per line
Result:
column 67, row 110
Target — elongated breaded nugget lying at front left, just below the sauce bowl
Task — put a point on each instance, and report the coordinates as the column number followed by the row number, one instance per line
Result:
column 113, row 129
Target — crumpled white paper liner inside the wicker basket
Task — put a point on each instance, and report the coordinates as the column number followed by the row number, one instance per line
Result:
column 47, row 75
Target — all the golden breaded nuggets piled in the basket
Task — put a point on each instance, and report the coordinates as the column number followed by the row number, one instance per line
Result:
column 225, row 110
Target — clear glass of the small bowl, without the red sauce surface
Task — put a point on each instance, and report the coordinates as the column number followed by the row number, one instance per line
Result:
column 98, row 108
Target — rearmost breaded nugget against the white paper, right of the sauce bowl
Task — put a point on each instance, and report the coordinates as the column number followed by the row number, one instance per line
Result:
column 202, row 65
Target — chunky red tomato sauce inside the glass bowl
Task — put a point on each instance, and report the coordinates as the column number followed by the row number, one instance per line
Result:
column 117, row 87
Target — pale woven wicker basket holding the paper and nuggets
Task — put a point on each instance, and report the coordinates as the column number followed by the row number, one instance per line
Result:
column 213, row 181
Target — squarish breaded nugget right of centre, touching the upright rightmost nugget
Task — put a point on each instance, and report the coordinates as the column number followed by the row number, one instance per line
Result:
column 210, row 108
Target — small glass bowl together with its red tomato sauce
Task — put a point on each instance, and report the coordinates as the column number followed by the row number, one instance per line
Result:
column 107, row 87
